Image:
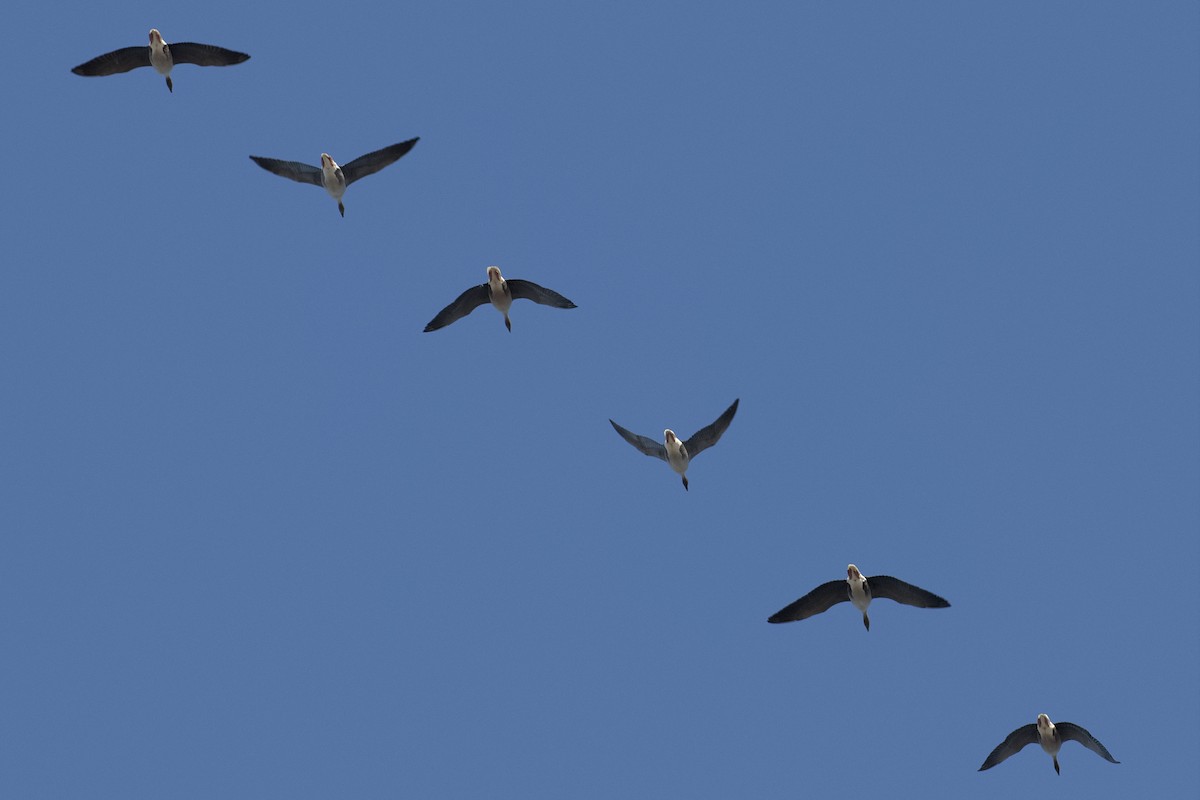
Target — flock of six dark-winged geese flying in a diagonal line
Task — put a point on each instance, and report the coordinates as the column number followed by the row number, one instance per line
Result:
column 859, row 590
